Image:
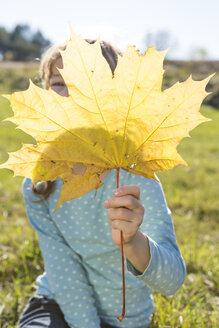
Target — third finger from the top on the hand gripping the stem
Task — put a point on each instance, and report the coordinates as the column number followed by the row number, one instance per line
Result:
column 124, row 214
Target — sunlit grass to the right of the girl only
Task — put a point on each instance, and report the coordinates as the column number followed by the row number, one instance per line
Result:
column 192, row 194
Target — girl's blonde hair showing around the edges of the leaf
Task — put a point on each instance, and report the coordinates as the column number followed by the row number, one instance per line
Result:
column 45, row 188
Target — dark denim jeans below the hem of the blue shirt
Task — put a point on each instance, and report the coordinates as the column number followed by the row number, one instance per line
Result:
column 41, row 312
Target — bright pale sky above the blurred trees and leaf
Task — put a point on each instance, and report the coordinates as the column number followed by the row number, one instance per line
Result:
column 191, row 24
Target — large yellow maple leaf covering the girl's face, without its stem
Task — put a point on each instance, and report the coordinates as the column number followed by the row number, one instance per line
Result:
column 122, row 121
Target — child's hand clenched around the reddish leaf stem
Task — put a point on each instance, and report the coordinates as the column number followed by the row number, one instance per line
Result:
column 125, row 213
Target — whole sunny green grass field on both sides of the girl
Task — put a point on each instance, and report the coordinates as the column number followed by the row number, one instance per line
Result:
column 192, row 195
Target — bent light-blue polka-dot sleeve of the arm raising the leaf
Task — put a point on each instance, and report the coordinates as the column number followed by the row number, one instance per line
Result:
column 166, row 270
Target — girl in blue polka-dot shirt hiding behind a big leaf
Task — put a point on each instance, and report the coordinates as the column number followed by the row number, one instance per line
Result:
column 81, row 286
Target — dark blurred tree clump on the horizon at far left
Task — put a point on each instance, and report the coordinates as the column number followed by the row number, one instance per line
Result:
column 21, row 43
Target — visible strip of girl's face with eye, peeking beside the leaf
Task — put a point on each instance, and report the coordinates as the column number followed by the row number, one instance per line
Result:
column 57, row 83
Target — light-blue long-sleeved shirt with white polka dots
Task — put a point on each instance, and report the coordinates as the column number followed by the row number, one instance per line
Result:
column 82, row 264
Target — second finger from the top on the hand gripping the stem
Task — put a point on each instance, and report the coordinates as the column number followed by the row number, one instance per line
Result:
column 127, row 201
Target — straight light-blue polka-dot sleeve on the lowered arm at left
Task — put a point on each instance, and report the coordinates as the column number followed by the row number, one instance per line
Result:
column 65, row 274
